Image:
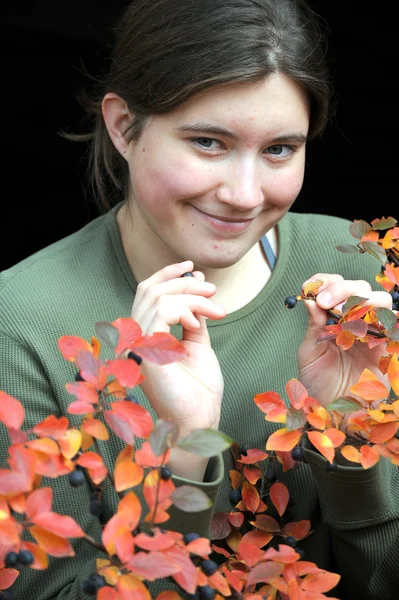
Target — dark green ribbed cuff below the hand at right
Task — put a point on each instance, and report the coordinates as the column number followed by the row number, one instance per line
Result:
column 352, row 497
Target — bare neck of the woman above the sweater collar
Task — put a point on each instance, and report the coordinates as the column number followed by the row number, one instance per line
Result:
column 236, row 285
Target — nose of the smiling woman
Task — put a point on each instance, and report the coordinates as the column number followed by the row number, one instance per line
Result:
column 242, row 187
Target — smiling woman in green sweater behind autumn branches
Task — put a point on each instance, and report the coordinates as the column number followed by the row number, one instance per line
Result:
column 200, row 139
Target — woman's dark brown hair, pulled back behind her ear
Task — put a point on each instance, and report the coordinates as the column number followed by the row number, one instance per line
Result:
column 166, row 51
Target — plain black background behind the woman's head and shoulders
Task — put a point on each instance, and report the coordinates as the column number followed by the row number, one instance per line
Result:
column 45, row 47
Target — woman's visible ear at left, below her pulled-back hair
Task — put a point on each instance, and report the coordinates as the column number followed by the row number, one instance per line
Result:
column 117, row 119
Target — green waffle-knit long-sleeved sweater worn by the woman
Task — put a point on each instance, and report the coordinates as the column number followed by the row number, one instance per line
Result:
column 67, row 287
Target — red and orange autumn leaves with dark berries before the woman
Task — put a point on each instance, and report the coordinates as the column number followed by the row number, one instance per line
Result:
column 266, row 560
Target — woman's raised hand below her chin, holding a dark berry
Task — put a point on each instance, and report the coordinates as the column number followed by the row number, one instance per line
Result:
column 189, row 392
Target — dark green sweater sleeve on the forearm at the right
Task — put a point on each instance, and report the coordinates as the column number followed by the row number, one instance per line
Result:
column 361, row 508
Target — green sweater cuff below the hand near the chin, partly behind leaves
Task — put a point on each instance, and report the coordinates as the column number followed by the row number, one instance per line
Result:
column 198, row 522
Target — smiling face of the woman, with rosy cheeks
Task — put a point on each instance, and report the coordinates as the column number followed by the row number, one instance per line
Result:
column 209, row 179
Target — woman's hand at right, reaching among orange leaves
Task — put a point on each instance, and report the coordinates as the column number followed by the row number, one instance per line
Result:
column 326, row 370
